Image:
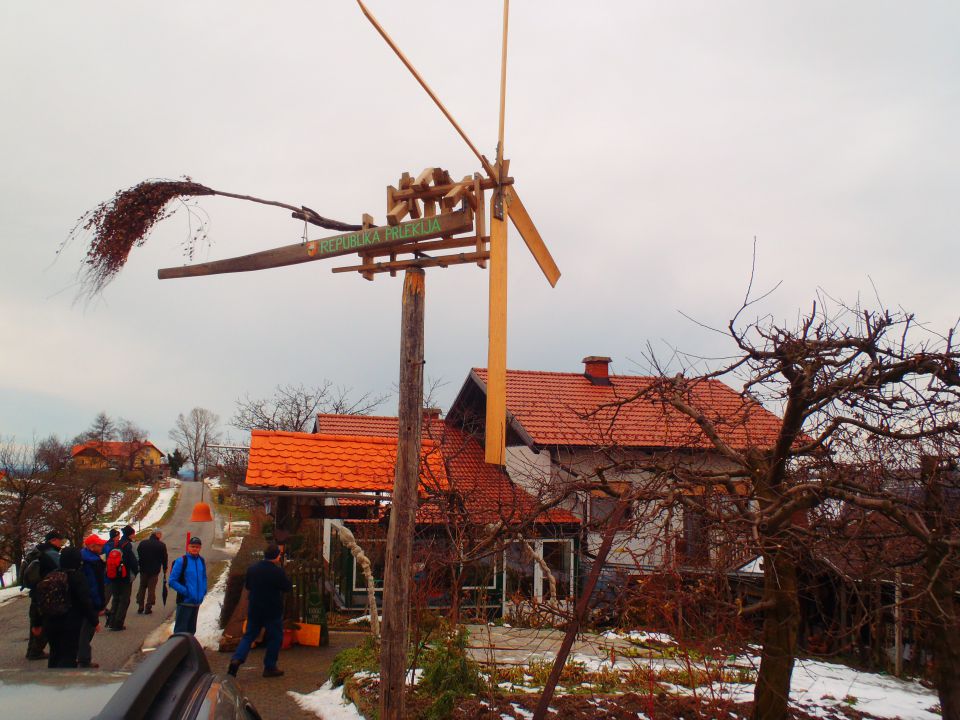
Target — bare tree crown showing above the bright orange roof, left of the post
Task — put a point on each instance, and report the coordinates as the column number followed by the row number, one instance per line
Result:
column 294, row 407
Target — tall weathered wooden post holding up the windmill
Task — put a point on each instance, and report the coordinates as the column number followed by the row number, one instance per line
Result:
column 397, row 575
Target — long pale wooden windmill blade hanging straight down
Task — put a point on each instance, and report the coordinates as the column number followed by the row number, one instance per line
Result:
column 496, row 426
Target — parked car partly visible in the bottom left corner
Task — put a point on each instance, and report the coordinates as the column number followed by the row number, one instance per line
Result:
column 174, row 682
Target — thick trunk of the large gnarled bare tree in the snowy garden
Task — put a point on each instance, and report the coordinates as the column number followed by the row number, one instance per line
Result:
column 781, row 626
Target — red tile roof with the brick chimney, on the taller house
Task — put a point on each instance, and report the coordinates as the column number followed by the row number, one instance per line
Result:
column 551, row 407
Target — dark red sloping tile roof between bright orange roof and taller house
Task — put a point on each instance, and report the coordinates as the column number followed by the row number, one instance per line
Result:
column 488, row 493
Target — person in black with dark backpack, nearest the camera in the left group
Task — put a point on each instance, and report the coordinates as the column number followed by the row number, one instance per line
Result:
column 63, row 598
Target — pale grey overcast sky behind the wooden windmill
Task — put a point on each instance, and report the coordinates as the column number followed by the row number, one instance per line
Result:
column 651, row 142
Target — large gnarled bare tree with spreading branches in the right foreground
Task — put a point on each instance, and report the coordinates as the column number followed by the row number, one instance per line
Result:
column 842, row 378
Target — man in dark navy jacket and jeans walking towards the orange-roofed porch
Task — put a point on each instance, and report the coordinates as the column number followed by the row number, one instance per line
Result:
column 266, row 583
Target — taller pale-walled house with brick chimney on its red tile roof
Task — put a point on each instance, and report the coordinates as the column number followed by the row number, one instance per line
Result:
column 592, row 428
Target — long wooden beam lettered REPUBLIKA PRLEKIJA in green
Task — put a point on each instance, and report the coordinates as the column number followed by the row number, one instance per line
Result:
column 335, row 246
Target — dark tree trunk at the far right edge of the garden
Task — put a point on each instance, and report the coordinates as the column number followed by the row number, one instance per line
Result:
column 941, row 610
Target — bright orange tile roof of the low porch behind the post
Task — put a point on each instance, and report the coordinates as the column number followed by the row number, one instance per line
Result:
column 326, row 462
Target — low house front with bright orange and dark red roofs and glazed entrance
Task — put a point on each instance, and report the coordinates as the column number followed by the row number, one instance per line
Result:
column 482, row 543
